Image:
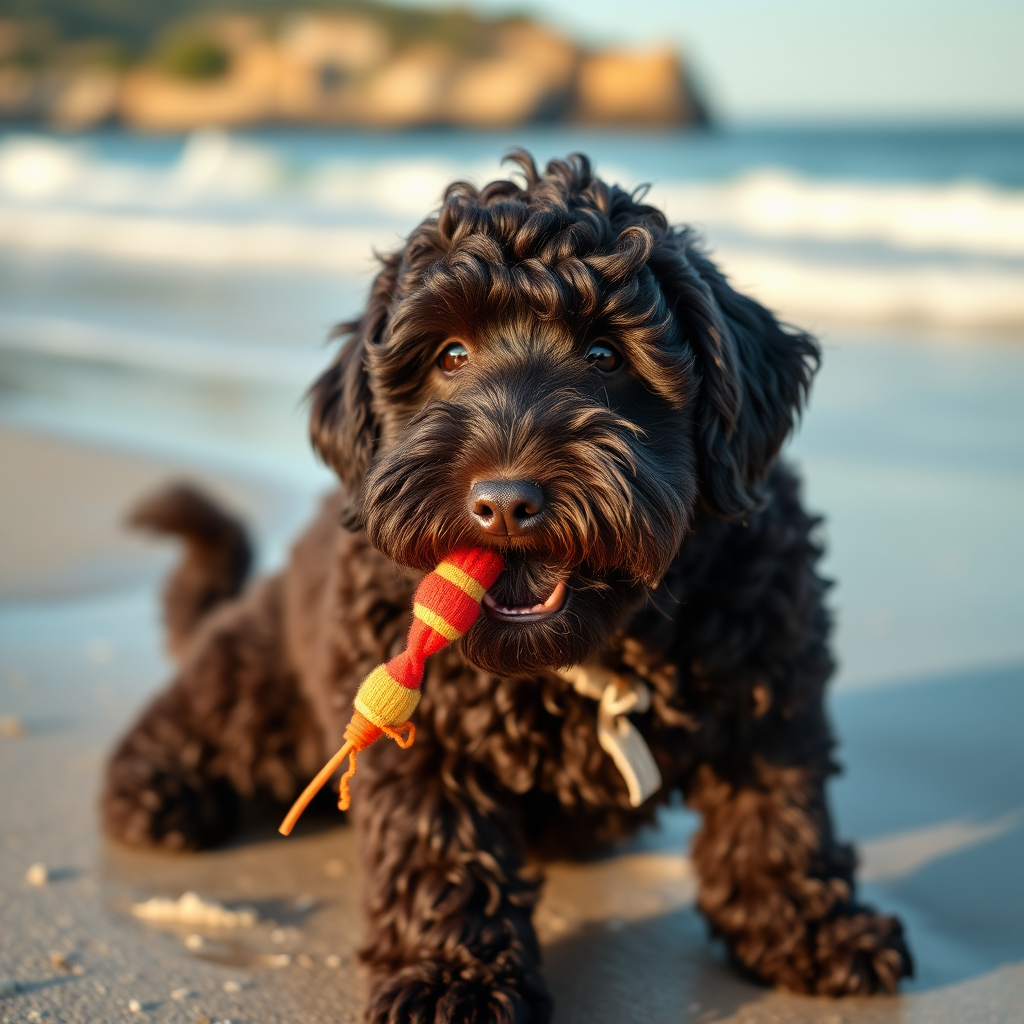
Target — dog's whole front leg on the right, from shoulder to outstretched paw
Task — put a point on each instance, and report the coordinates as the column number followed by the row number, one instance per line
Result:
column 776, row 883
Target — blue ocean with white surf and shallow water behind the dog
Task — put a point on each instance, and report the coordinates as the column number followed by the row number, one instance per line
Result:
column 173, row 296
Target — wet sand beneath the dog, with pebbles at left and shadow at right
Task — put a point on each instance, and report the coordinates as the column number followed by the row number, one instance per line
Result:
column 932, row 794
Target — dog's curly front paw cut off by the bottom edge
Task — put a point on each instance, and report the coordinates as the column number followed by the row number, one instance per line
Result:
column 435, row 993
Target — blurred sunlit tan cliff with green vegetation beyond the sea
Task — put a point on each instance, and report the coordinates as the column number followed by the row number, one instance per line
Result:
column 366, row 66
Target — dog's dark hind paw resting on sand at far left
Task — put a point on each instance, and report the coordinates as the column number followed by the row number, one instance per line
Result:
column 151, row 803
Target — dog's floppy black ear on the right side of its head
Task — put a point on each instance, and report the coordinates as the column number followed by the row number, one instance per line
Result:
column 755, row 375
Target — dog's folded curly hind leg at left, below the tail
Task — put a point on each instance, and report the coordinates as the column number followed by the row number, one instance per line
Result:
column 231, row 723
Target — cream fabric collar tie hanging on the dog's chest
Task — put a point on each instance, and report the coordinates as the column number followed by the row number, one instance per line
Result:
column 618, row 697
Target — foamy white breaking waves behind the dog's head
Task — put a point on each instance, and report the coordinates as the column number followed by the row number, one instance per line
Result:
column 954, row 252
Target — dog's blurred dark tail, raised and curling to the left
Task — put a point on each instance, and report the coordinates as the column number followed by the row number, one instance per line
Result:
column 218, row 557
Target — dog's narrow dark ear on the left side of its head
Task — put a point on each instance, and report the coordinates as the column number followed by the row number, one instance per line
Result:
column 344, row 426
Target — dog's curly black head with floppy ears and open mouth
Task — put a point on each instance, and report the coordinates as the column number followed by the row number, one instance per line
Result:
column 550, row 369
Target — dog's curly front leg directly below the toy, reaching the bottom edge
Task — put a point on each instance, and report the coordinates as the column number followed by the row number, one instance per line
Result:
column 450, row 932
